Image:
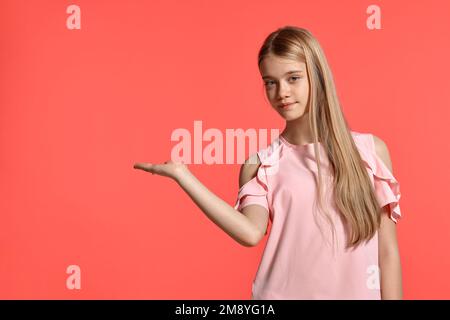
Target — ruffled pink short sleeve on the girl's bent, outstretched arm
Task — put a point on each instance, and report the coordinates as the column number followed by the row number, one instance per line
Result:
column 253, row 192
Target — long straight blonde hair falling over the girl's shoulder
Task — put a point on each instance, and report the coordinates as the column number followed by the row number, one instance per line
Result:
column 352, row 188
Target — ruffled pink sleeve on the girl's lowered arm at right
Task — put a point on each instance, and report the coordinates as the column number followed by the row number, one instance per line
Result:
column 386, row 186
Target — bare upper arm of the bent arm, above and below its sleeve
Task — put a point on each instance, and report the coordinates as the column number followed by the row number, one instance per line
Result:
column 257, row 214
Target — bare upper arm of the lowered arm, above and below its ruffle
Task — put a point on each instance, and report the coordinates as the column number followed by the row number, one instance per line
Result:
column 387, row 234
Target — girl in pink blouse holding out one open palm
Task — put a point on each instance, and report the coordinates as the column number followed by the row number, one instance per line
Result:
column 328, row 191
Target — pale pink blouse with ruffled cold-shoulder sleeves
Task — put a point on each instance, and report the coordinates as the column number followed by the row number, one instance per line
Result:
column 299, row 262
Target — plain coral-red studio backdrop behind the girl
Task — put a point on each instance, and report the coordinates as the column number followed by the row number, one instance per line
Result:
column 79, row 107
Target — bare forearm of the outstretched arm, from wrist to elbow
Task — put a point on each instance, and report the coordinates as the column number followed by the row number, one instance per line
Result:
column 234, row 223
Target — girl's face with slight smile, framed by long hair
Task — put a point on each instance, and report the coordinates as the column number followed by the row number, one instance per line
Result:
column 286, row 82
